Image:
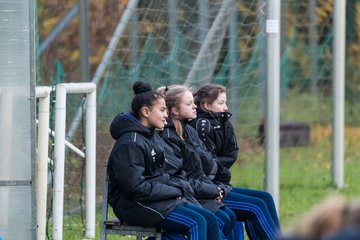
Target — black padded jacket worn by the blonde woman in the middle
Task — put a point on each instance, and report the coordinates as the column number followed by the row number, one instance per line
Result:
column 191, row 157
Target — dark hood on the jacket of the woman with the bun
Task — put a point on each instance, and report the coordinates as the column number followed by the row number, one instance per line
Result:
column 126, row 122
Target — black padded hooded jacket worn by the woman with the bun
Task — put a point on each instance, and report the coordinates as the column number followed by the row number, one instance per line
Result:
column 140, row 192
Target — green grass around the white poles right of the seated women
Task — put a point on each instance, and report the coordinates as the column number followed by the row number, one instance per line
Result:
column 305, row 172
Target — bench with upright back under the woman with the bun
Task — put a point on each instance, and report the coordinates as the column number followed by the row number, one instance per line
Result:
column 116, row 227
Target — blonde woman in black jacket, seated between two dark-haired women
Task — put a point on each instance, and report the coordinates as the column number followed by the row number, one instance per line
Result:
column 177, row 135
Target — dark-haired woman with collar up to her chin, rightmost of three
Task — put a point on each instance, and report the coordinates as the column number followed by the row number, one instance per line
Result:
column 217, row 133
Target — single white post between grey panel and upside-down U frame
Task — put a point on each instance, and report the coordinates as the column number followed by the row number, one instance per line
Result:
column 59, row 161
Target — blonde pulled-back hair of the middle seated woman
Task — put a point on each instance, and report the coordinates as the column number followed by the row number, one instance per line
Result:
column 173, row 95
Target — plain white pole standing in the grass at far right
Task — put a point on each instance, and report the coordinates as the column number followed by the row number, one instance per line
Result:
column 338, row 86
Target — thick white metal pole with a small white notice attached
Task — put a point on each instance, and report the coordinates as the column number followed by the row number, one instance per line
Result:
column 272, row 124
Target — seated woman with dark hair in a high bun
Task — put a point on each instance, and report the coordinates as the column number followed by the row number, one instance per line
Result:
column 140, row 192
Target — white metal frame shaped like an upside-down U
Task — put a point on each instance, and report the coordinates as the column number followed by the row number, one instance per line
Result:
column 60, row 119
